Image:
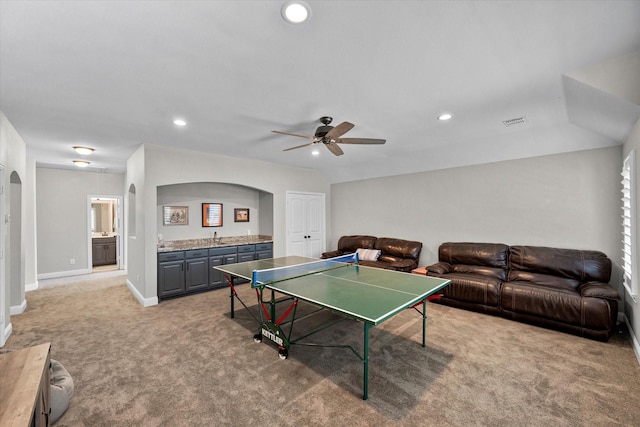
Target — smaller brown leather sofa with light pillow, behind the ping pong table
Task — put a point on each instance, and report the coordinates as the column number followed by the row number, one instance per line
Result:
column 395, row 254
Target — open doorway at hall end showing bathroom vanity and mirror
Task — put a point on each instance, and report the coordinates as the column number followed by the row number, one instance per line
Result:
column 104, row 215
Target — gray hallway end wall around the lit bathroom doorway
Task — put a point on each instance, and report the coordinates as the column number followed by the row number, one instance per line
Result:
column 62, row 197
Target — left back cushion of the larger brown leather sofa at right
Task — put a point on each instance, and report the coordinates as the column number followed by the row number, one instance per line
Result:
column 487, row 259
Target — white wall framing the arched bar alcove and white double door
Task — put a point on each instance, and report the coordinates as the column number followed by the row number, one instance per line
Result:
column 154, row 166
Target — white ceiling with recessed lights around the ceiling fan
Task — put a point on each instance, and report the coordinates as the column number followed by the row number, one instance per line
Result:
column 114, row 74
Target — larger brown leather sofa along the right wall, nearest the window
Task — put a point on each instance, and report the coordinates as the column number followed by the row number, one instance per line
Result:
column 563, row 289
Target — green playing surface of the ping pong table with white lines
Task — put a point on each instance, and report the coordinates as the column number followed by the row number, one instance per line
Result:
column 364, row 293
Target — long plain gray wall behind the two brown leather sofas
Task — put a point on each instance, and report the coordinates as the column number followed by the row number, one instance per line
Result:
column 568, row 200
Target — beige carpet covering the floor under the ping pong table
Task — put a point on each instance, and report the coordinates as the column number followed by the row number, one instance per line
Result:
column 185, row 362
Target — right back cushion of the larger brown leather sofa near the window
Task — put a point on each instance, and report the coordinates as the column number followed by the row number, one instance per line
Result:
column 562, row 268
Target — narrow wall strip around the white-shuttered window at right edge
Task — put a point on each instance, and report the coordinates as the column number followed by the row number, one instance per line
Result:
column 631, row 306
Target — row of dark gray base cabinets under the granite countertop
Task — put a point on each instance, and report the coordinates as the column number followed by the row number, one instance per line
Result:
column 185, row 272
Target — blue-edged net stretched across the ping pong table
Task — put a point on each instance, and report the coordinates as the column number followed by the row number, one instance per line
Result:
column 279, row 274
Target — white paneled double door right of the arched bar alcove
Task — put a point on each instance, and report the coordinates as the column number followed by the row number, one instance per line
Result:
column 305, row 224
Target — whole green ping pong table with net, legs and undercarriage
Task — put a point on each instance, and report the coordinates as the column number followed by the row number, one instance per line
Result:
column 366, row 294
